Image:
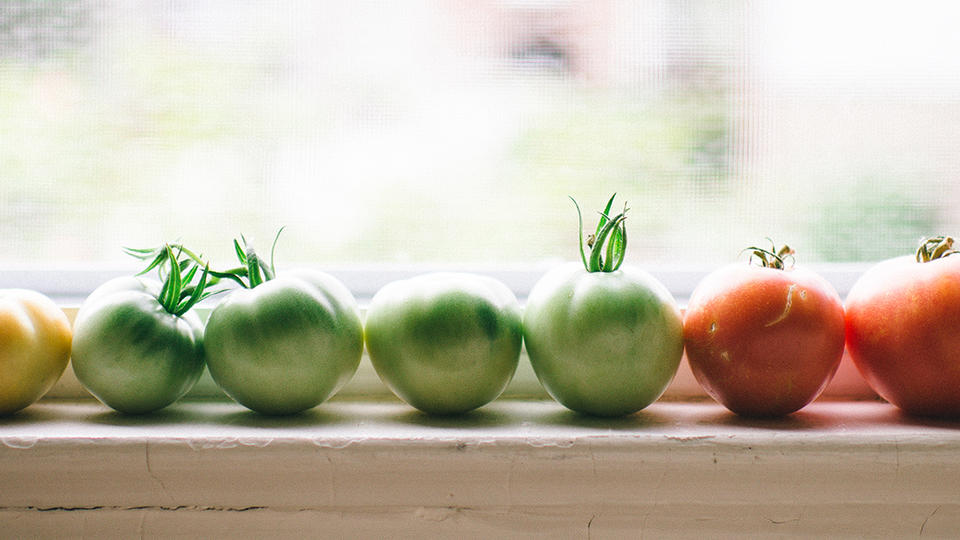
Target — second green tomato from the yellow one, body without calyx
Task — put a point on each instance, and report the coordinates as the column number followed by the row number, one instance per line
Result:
column 287, row 344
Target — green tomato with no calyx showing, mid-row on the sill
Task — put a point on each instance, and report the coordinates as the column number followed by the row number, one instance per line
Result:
column 445, row 343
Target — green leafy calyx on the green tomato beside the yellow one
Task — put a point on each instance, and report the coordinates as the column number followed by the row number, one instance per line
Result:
column 177, row 268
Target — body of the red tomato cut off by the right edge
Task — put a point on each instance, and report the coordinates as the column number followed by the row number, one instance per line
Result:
column 903, row 333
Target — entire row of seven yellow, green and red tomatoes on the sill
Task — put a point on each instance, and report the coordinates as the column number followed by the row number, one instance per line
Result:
column 763, row 339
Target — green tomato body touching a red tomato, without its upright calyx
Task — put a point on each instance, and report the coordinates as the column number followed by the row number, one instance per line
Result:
column 605, row 344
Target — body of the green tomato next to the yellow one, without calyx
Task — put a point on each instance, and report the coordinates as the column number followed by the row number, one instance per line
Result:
column 130, row 353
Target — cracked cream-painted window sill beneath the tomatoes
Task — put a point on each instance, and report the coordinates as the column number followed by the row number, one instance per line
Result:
column 512, row 468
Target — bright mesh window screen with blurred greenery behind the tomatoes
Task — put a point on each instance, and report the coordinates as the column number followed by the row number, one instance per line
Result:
column 452, row 132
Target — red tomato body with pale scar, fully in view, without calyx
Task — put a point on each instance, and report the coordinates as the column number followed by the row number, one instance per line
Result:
column 764, row 341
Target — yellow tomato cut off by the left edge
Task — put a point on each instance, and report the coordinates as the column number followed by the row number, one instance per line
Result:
column 34, row 347
